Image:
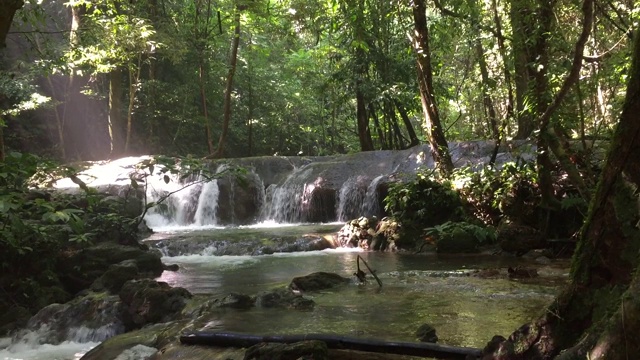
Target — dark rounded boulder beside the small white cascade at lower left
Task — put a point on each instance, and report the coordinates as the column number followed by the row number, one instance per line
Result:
column 148, row 301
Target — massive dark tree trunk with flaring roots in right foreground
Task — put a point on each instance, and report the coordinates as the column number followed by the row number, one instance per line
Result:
column 598, row 315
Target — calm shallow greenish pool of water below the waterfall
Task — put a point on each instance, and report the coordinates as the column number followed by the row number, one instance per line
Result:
column 466, row 310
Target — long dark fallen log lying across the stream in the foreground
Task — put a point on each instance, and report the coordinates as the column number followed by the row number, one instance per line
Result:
column 240, row 340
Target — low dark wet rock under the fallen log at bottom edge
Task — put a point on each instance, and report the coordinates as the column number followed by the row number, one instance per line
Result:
column 316, row 350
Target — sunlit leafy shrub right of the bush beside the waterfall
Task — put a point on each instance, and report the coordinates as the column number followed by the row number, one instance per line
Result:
column 491, row 193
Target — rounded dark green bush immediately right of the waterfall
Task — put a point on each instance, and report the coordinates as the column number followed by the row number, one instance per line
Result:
column 422, row 202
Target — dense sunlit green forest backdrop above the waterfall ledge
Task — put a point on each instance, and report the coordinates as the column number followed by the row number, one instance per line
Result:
column 95, row 80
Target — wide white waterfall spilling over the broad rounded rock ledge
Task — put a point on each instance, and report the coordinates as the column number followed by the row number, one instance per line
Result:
column 277, row 189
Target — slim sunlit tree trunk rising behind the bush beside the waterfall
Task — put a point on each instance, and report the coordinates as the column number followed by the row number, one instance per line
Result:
column 439, row 146
